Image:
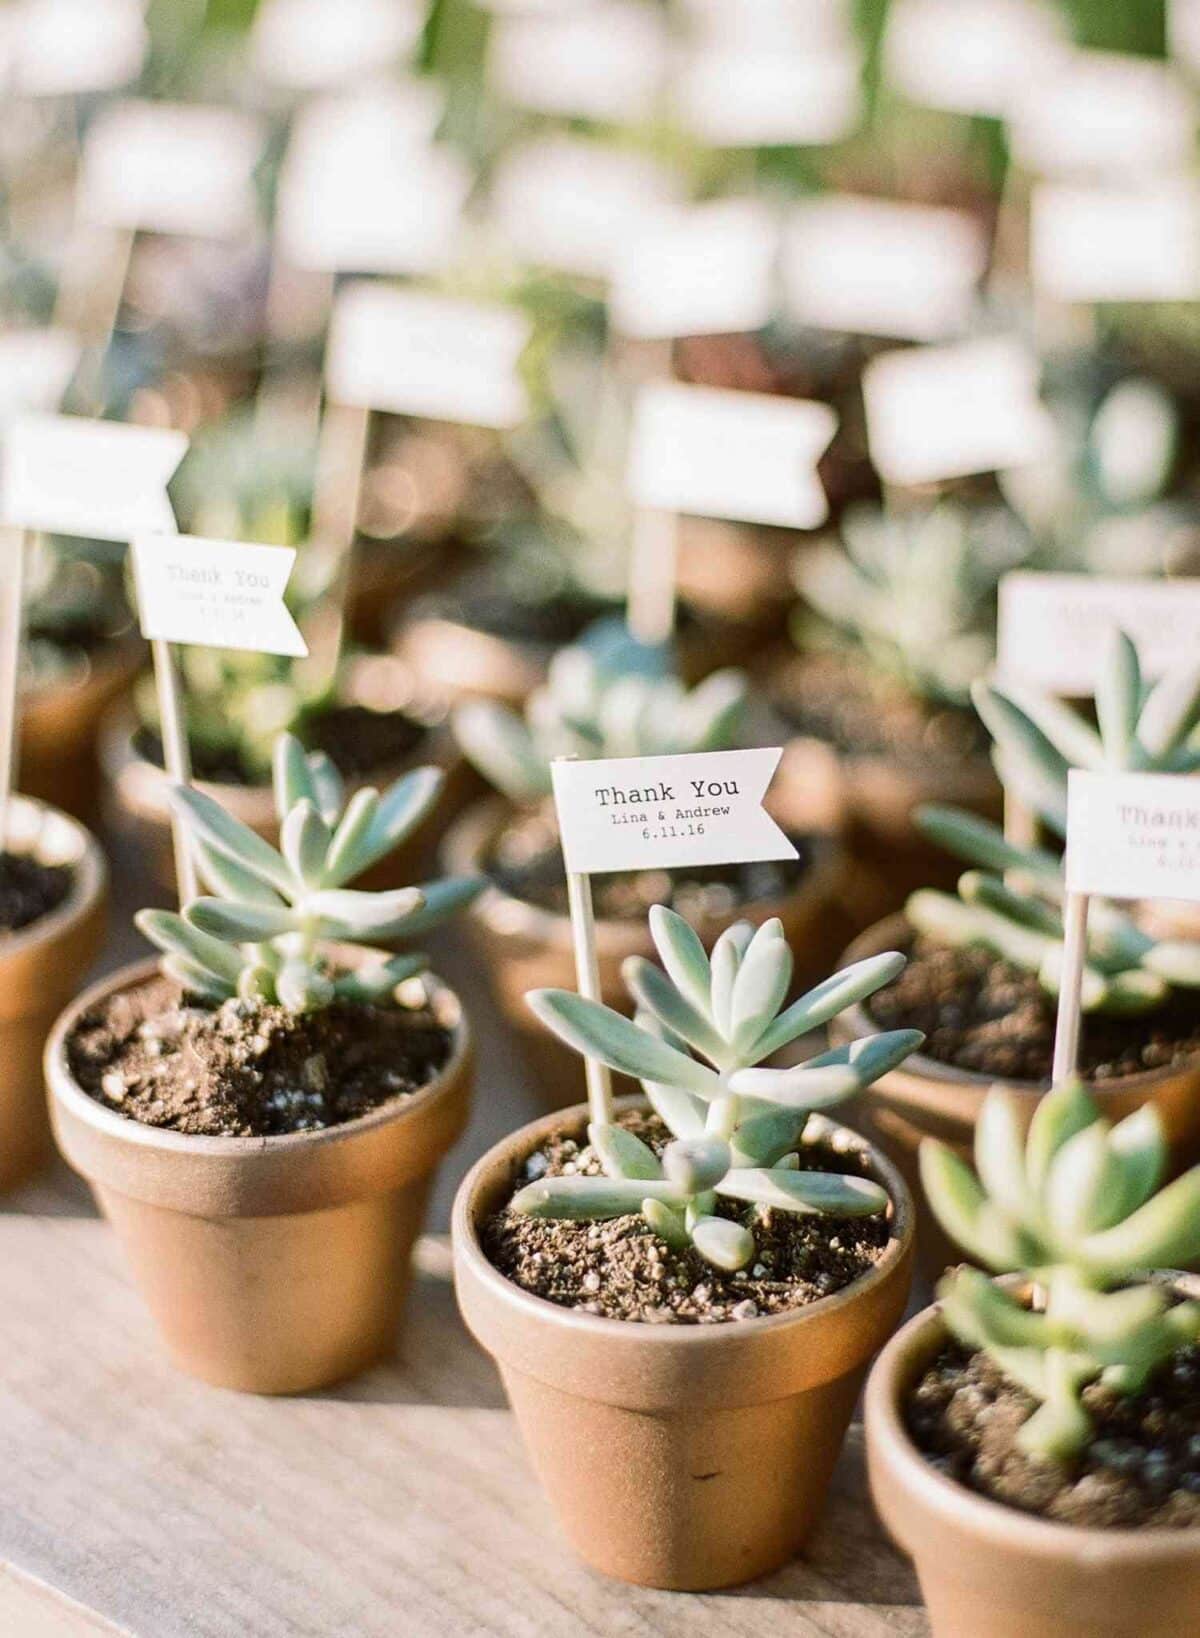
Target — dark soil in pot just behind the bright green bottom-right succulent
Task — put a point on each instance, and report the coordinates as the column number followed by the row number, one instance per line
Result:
column 985, row 1015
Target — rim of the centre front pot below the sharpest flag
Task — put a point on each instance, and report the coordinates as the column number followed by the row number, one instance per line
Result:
column 695, row 1337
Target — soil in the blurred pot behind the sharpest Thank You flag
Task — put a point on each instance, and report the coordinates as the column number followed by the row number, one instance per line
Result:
column 526, row 862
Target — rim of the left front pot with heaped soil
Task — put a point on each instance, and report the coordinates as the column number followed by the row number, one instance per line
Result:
column 66, row 1090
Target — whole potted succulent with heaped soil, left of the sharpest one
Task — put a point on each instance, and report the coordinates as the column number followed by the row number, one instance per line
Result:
column 261, row 1115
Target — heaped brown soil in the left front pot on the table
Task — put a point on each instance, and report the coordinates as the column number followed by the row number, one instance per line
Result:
column 250, row 1070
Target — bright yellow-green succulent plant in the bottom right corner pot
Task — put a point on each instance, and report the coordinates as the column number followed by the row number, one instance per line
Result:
column 1073, row 1208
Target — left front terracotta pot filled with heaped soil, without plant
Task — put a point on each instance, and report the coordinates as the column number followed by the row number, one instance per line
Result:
column 271, row 1265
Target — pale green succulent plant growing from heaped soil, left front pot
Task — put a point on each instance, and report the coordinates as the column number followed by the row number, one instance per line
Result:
column 261, row 933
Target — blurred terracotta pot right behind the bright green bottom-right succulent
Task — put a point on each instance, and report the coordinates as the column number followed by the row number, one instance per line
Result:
column 926, row 1098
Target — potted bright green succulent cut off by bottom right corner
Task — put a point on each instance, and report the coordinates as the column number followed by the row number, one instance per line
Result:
column 1034, row 1442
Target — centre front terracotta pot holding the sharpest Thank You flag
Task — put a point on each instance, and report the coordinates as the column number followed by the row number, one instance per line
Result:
column 685, row 1457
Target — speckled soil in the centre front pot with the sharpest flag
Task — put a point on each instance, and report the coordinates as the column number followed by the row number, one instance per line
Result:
column 623, row 1270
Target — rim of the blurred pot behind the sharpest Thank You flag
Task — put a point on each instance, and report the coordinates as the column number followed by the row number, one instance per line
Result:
column 471, row 831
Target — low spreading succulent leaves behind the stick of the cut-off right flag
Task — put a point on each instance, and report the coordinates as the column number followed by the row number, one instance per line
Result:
column 1013, row 905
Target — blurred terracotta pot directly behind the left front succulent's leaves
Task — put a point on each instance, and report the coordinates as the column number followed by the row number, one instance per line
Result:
column 138, row 799
